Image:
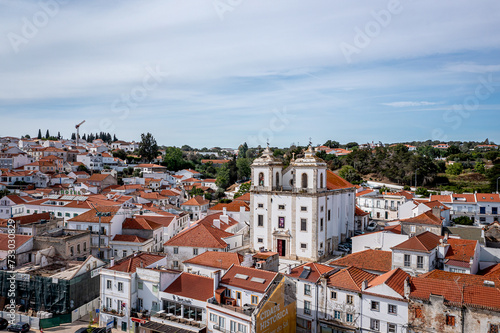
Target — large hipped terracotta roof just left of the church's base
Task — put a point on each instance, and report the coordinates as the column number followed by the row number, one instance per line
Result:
column 200, row 235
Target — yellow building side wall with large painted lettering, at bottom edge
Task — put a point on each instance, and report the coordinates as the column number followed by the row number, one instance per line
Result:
column 274, row 316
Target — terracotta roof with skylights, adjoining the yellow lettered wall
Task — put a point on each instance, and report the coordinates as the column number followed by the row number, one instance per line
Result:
column 232, row 278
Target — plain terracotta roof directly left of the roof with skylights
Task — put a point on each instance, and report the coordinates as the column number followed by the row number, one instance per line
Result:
column 192, row 286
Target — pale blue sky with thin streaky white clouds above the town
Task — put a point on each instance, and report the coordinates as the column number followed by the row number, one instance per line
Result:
column 223, row 72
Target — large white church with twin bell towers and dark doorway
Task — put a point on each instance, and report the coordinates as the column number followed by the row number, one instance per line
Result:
column 303, row 211
